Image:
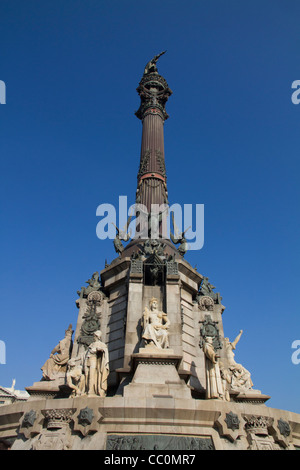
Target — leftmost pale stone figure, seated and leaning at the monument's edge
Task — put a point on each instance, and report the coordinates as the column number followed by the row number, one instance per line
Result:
column 59, row 357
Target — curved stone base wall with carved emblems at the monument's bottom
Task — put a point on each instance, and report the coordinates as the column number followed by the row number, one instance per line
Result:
column 150, row 423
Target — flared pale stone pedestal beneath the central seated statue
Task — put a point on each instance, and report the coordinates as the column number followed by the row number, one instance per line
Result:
column 155, row 374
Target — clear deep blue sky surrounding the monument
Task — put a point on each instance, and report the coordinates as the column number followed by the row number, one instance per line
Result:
column 70, row 141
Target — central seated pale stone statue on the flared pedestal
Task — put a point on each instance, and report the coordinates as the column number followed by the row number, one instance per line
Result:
column 156, row 324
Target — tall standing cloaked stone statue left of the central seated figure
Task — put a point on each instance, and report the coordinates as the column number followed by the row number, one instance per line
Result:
column 96, row 367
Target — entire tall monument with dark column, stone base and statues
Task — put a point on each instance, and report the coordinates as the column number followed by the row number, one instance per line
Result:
column 148, row 365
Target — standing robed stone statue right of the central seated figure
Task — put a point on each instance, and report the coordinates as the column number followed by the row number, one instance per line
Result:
column 214, row 381
